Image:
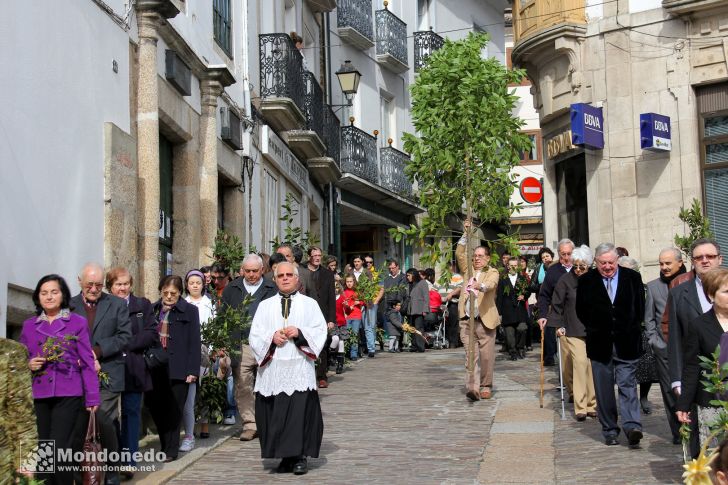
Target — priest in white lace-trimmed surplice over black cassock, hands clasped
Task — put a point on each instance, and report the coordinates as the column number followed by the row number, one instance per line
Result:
column 286, row 336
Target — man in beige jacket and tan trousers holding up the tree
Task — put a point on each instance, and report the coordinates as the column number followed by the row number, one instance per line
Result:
column 482, row 281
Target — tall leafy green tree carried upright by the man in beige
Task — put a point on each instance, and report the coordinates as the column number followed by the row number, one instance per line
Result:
column 467, row 142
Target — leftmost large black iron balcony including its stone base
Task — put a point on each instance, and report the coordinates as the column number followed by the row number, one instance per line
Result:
column 282, row 86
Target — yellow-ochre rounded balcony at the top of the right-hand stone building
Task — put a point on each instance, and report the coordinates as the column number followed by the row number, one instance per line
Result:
column 534, row 16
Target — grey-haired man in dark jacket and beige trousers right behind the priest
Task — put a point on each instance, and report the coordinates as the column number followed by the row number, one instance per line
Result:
column 249, row 283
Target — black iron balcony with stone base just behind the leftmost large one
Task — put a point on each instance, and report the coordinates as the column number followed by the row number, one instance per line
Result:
column 308, row 142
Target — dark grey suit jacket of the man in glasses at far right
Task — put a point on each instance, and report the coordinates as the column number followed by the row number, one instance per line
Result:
column 684, row 307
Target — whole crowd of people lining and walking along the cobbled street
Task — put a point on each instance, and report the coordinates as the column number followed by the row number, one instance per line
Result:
column 108, row 353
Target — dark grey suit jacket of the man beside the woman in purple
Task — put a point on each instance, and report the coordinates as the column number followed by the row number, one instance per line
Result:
column 111, row 333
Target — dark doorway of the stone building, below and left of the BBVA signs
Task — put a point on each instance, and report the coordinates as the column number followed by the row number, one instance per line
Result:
column 571, row 199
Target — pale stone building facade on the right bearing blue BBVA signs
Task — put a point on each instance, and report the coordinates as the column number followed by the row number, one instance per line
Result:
column 628, row 58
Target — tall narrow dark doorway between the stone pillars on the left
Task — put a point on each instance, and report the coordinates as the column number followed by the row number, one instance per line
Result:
column 165, row 206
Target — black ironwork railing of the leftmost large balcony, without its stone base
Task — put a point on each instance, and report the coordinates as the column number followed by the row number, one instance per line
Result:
column 281, row 69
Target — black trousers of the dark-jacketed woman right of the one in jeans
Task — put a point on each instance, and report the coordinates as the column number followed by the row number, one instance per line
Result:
column 166, row 401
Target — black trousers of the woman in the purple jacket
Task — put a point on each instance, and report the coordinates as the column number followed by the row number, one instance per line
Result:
column 57, row 418
